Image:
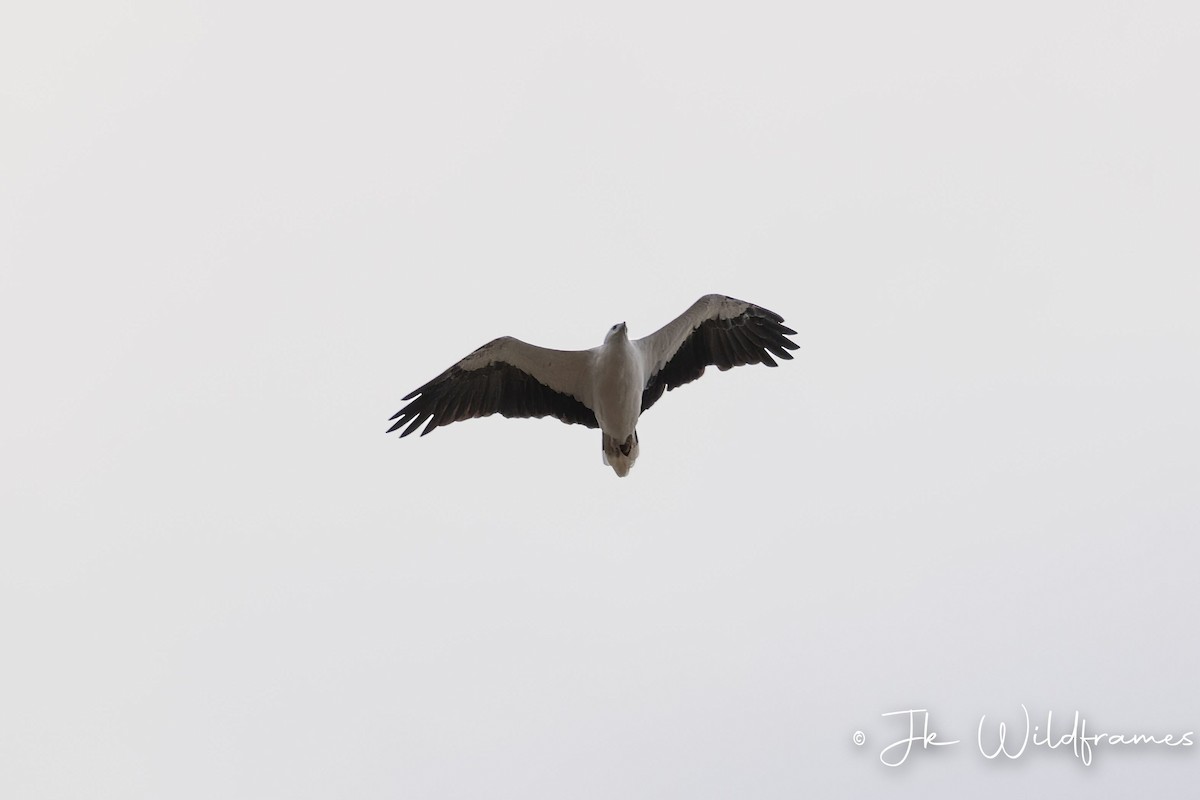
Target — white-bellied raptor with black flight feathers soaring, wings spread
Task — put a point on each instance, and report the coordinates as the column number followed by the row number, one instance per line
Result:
column 608, row 387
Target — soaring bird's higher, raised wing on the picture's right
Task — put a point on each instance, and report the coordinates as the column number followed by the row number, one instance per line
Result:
column 716, row 332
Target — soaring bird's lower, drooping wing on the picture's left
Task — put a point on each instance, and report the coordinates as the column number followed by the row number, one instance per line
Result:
column 507, row 377
